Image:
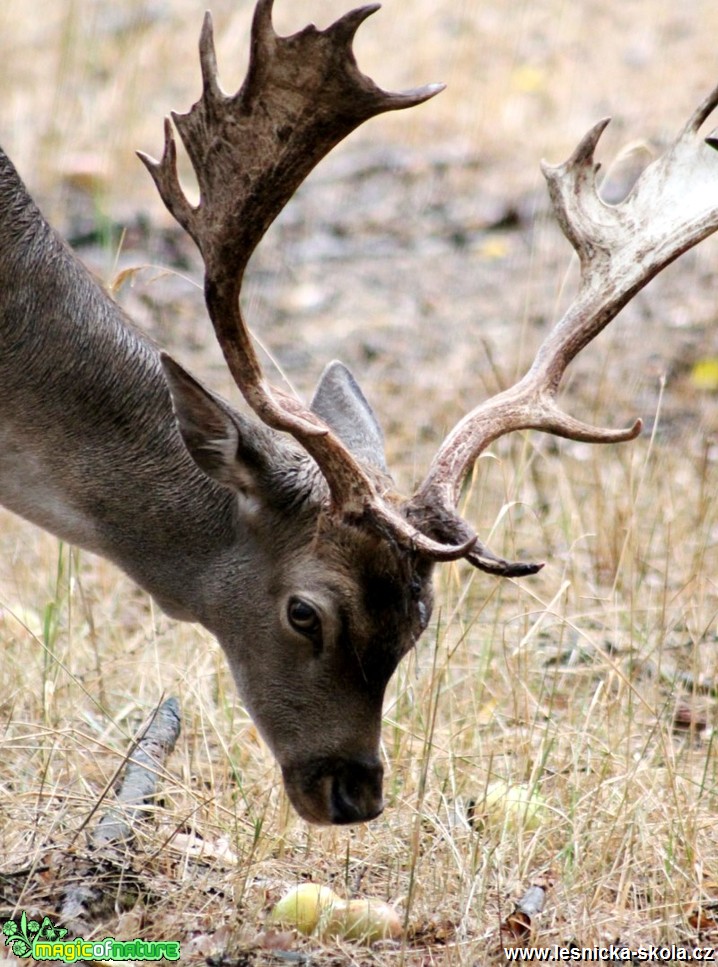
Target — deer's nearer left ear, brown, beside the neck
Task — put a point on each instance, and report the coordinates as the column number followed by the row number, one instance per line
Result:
column 231, row 449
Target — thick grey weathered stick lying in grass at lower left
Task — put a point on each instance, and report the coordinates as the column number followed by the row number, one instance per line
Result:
column 140, row 783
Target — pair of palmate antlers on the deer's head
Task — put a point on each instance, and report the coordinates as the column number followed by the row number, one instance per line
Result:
column 251, row 150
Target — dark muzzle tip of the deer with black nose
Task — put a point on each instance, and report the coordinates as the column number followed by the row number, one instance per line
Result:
column 336, row 791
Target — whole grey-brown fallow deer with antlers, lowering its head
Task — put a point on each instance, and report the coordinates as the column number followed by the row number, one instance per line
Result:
column 279, row 528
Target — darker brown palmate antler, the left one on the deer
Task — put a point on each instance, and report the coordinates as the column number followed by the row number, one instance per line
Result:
column 250, row 151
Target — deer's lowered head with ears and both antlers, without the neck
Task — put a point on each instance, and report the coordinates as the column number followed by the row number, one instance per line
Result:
column 345, row 560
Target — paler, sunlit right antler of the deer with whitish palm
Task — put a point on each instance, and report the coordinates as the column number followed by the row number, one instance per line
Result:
column 673, row 206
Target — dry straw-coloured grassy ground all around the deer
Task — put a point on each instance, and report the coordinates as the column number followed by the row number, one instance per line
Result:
column 424, row 254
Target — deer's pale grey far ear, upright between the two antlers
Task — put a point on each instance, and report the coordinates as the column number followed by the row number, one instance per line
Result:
column 339, row 401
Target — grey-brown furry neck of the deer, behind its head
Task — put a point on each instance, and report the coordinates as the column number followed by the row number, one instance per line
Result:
column 89, row 447
